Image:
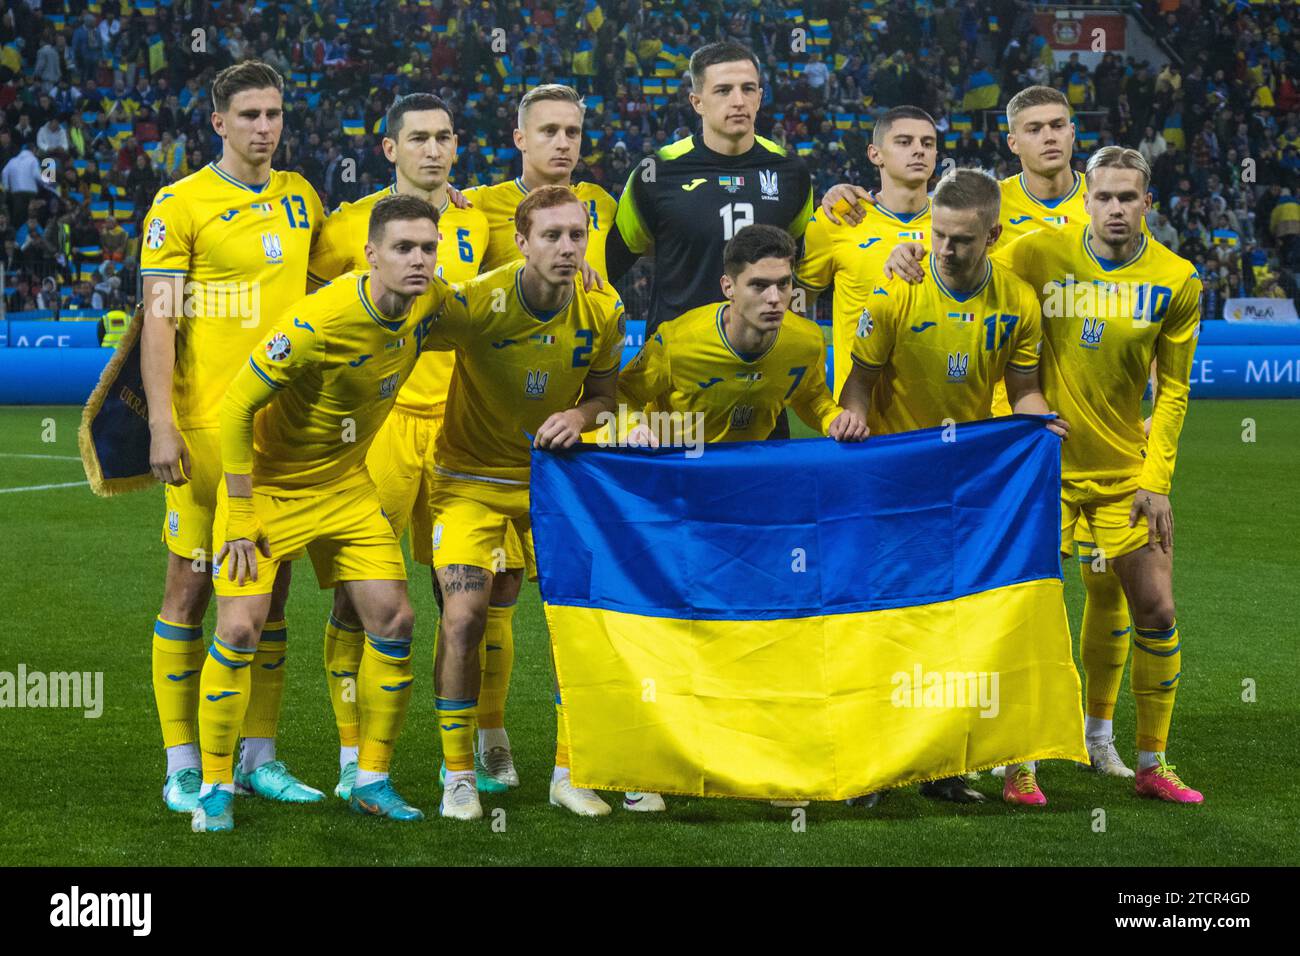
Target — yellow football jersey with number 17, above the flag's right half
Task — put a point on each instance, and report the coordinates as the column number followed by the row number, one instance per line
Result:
column 941, row 352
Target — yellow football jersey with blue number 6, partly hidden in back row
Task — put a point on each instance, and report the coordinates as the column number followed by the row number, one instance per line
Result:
column 463, row 243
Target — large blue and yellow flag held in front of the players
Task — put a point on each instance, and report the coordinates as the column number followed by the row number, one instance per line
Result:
column 848, row 618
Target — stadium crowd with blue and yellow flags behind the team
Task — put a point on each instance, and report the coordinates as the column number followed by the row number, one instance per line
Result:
column 103, row 103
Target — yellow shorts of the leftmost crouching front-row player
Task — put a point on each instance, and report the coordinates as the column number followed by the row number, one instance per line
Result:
column 345, row 534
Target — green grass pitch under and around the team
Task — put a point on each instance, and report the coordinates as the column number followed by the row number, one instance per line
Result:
column 83, row 581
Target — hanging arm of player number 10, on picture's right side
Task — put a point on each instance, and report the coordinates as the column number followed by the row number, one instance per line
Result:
column 1176, row 345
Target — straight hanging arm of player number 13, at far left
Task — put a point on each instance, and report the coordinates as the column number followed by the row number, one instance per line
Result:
column 164, row 266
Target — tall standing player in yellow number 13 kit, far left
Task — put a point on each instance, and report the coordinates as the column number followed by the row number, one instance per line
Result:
column 223, row 249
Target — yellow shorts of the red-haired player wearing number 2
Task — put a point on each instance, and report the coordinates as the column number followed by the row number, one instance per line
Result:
column 474, row 524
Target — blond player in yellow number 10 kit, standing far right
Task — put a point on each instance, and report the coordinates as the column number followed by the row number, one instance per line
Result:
column 1115, row 301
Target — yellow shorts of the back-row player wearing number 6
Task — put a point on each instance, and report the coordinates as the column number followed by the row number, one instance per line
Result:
column 401, row 462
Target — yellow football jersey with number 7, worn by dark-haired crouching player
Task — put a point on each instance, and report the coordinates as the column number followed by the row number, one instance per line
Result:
column 688, row 366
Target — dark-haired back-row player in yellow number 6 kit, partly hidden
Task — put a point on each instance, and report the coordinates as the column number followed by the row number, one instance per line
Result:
column 421, row 141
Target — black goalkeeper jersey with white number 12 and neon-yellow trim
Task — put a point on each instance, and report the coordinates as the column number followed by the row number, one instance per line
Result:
column 686, row 202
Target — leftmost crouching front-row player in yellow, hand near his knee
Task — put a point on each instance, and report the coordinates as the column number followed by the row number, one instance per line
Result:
column 297, row 482
